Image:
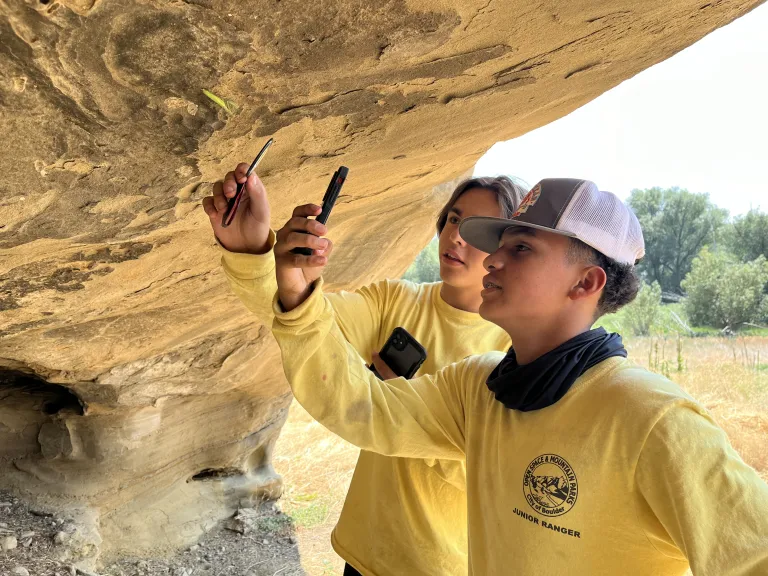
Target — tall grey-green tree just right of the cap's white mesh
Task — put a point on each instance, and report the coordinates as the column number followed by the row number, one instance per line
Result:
column 676, row 224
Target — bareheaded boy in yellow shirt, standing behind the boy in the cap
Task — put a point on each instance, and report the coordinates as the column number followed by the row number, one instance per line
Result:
column 401, row 515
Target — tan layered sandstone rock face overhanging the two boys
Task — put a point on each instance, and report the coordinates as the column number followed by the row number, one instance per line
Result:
column 132, row 384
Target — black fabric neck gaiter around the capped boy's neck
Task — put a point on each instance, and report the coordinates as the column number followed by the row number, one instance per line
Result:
column 545, row 380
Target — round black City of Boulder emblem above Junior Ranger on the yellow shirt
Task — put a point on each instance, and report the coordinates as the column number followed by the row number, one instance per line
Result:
column 550, row 485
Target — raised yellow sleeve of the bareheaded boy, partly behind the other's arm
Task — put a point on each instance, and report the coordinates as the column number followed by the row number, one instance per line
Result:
column 358, row 313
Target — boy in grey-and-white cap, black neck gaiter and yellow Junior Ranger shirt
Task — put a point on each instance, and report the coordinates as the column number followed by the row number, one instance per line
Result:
column 578, row 461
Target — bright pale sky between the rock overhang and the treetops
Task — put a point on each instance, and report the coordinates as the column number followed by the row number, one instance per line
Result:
column 698, row 120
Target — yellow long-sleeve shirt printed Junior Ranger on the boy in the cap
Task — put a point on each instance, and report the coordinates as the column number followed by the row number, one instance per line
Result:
column 626, row 474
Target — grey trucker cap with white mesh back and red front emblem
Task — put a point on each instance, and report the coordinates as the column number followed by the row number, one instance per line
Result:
column 568, row 207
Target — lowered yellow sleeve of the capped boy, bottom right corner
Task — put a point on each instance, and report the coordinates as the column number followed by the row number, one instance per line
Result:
column 702, row 496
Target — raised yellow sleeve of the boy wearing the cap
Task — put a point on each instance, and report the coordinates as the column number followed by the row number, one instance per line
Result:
column 420, row 418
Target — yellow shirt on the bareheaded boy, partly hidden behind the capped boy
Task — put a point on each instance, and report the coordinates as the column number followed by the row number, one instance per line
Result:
column 401, row 515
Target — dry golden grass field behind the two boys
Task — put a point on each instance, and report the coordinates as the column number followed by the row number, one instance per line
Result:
column 720, row 373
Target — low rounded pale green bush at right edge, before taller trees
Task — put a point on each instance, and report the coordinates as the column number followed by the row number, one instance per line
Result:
column 725, row 292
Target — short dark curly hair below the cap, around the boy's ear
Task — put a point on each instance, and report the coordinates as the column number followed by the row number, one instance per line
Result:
column 621, row 280
